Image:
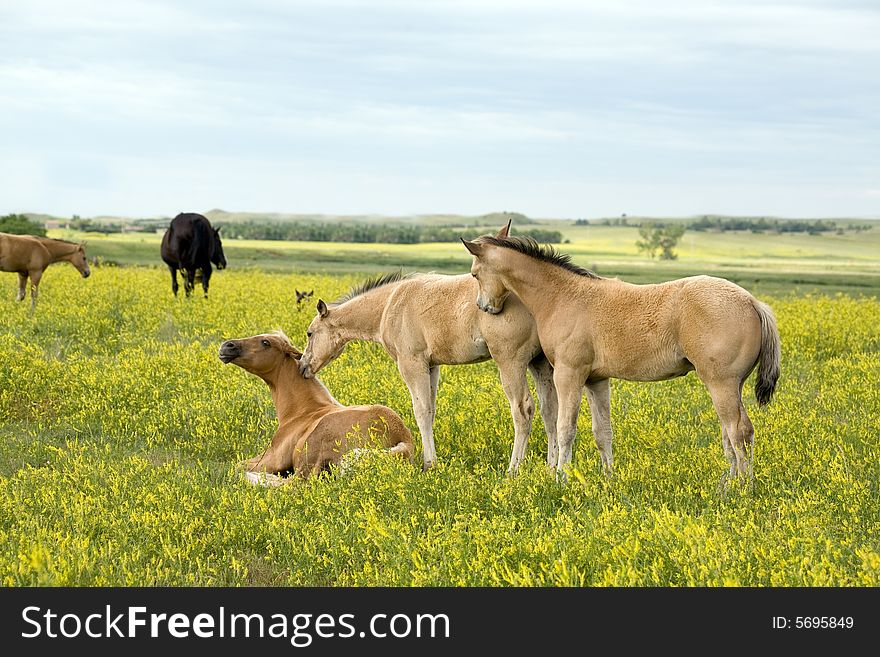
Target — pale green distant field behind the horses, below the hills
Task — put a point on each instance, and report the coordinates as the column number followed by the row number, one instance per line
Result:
column 777, row 264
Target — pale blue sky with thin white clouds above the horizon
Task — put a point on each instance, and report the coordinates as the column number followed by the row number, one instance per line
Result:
column 552, row 108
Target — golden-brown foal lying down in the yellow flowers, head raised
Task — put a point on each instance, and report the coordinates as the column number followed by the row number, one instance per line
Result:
column 314, row 430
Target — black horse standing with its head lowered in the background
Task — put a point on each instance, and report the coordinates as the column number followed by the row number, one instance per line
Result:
column 190, row 244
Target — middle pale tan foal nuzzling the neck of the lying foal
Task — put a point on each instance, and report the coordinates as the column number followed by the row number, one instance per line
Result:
column 428, row 320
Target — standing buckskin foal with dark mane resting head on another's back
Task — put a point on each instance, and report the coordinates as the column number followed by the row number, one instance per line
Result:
column 593, row 329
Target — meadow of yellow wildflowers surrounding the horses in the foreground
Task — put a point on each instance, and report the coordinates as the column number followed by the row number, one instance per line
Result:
column 119, row 429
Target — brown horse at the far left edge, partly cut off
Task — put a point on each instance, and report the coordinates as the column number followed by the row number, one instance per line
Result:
column 29, row 256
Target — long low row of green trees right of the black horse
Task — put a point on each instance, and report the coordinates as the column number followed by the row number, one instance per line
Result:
column 368, row 233
